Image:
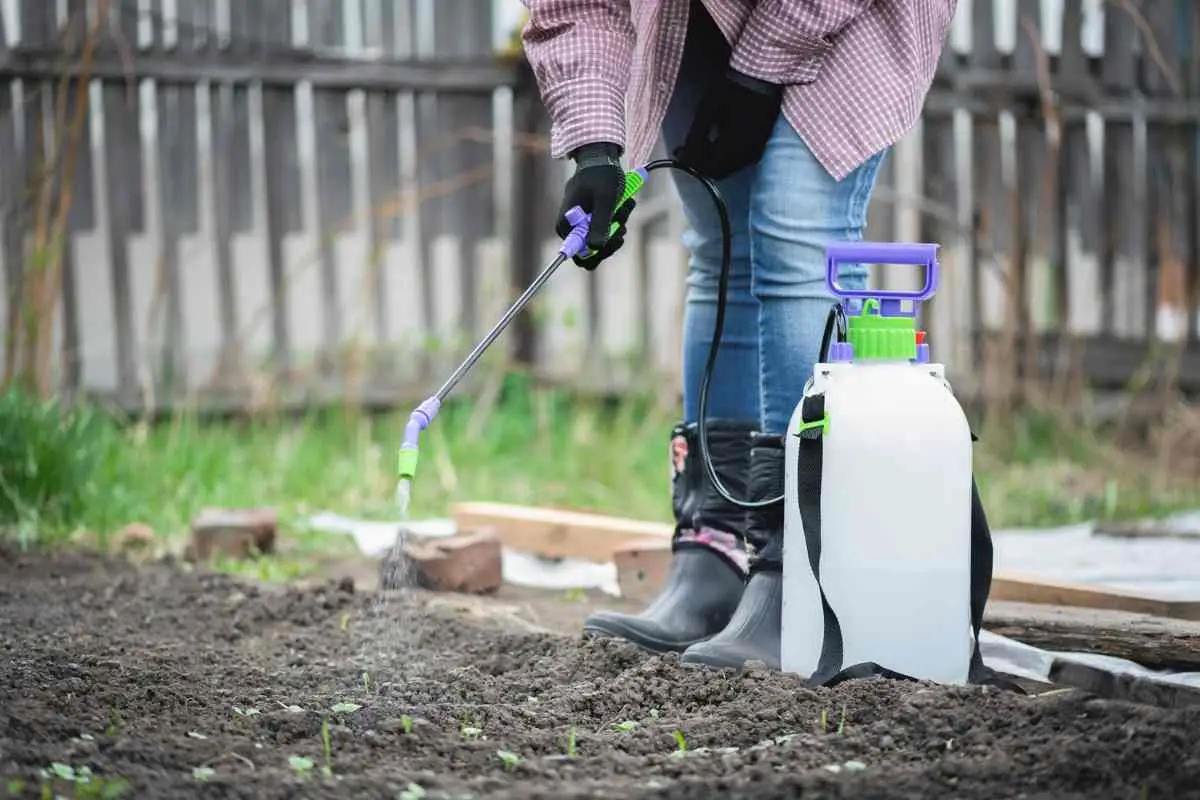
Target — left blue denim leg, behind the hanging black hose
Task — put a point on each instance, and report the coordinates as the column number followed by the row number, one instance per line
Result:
column 734, row 392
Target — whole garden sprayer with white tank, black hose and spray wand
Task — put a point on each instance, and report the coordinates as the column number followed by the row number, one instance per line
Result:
column 886, row 549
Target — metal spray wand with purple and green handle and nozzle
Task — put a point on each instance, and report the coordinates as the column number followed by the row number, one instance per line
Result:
column 573, row 245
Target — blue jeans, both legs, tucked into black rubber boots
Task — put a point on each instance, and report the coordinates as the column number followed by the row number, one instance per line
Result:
column 783, row 213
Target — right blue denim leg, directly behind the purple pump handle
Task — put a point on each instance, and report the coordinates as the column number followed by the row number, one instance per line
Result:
column 796, row 209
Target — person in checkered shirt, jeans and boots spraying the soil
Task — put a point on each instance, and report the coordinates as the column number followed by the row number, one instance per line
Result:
column 790, row 106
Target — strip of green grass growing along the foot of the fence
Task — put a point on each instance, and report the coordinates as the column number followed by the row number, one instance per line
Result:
column 65, row 474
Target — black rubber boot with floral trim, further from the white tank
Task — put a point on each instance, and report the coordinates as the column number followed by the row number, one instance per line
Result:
column 709, row 561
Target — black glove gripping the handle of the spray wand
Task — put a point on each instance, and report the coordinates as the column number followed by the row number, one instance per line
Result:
column 597, row 185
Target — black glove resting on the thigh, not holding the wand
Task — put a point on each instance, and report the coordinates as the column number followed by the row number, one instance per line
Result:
column 733, row 125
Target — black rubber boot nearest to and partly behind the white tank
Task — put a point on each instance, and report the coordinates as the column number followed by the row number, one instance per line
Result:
column 754, row 631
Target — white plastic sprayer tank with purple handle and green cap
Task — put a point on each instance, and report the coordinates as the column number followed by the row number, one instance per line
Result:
column 896, row 494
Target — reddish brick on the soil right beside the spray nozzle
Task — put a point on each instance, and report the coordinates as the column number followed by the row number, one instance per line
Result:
column 469, row 563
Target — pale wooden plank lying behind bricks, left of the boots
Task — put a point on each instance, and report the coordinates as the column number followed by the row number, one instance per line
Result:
column 557, row 534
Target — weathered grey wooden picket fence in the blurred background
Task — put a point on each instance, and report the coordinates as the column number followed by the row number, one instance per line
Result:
column 316, row 199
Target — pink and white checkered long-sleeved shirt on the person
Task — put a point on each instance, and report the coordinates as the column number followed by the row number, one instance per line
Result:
column 857, row 71
